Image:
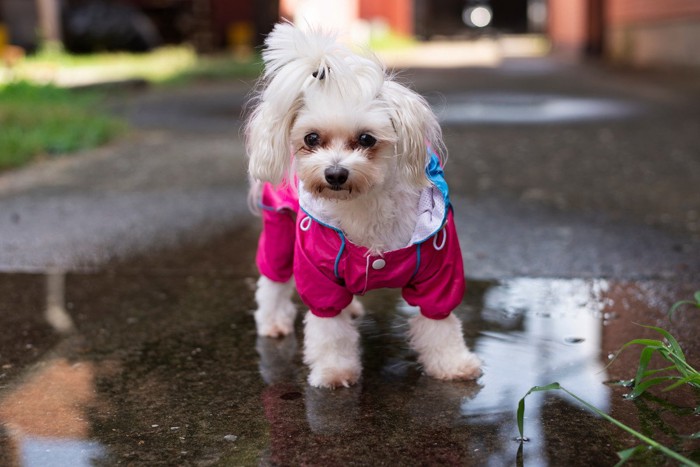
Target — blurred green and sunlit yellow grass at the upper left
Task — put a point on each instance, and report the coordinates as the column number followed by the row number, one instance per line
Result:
column 42, row 120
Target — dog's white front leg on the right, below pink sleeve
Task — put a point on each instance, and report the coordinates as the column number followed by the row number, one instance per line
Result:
column 441, row 348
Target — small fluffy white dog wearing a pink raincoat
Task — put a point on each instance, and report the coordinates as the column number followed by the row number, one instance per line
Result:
column 347, row 171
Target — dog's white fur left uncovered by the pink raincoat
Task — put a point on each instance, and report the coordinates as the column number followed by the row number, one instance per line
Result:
column 313, row 85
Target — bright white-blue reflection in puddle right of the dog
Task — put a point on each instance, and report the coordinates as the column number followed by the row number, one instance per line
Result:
column 536, row 332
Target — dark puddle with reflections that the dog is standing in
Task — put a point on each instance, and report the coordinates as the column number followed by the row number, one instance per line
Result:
column 157, row 361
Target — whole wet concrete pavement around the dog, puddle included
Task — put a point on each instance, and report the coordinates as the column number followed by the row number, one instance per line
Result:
column 127, row 294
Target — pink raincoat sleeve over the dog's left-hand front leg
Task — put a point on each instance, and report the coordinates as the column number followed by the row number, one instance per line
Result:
column 314, row 259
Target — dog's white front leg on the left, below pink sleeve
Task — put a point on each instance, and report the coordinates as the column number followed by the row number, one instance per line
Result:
column 332, row 350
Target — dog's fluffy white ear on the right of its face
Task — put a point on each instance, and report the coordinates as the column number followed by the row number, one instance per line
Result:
column 417, row 129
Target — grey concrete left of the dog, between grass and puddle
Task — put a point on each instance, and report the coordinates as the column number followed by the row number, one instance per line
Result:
column 164, row 184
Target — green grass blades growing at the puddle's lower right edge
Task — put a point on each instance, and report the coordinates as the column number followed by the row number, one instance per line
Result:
column 677, row 374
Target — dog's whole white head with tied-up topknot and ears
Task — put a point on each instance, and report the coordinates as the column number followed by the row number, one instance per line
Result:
column 335, row 119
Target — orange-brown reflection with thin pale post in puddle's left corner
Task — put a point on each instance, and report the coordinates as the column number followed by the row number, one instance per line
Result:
column 45, row 413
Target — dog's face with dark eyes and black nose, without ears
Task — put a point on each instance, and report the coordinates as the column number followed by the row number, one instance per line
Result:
column 343, row 147
